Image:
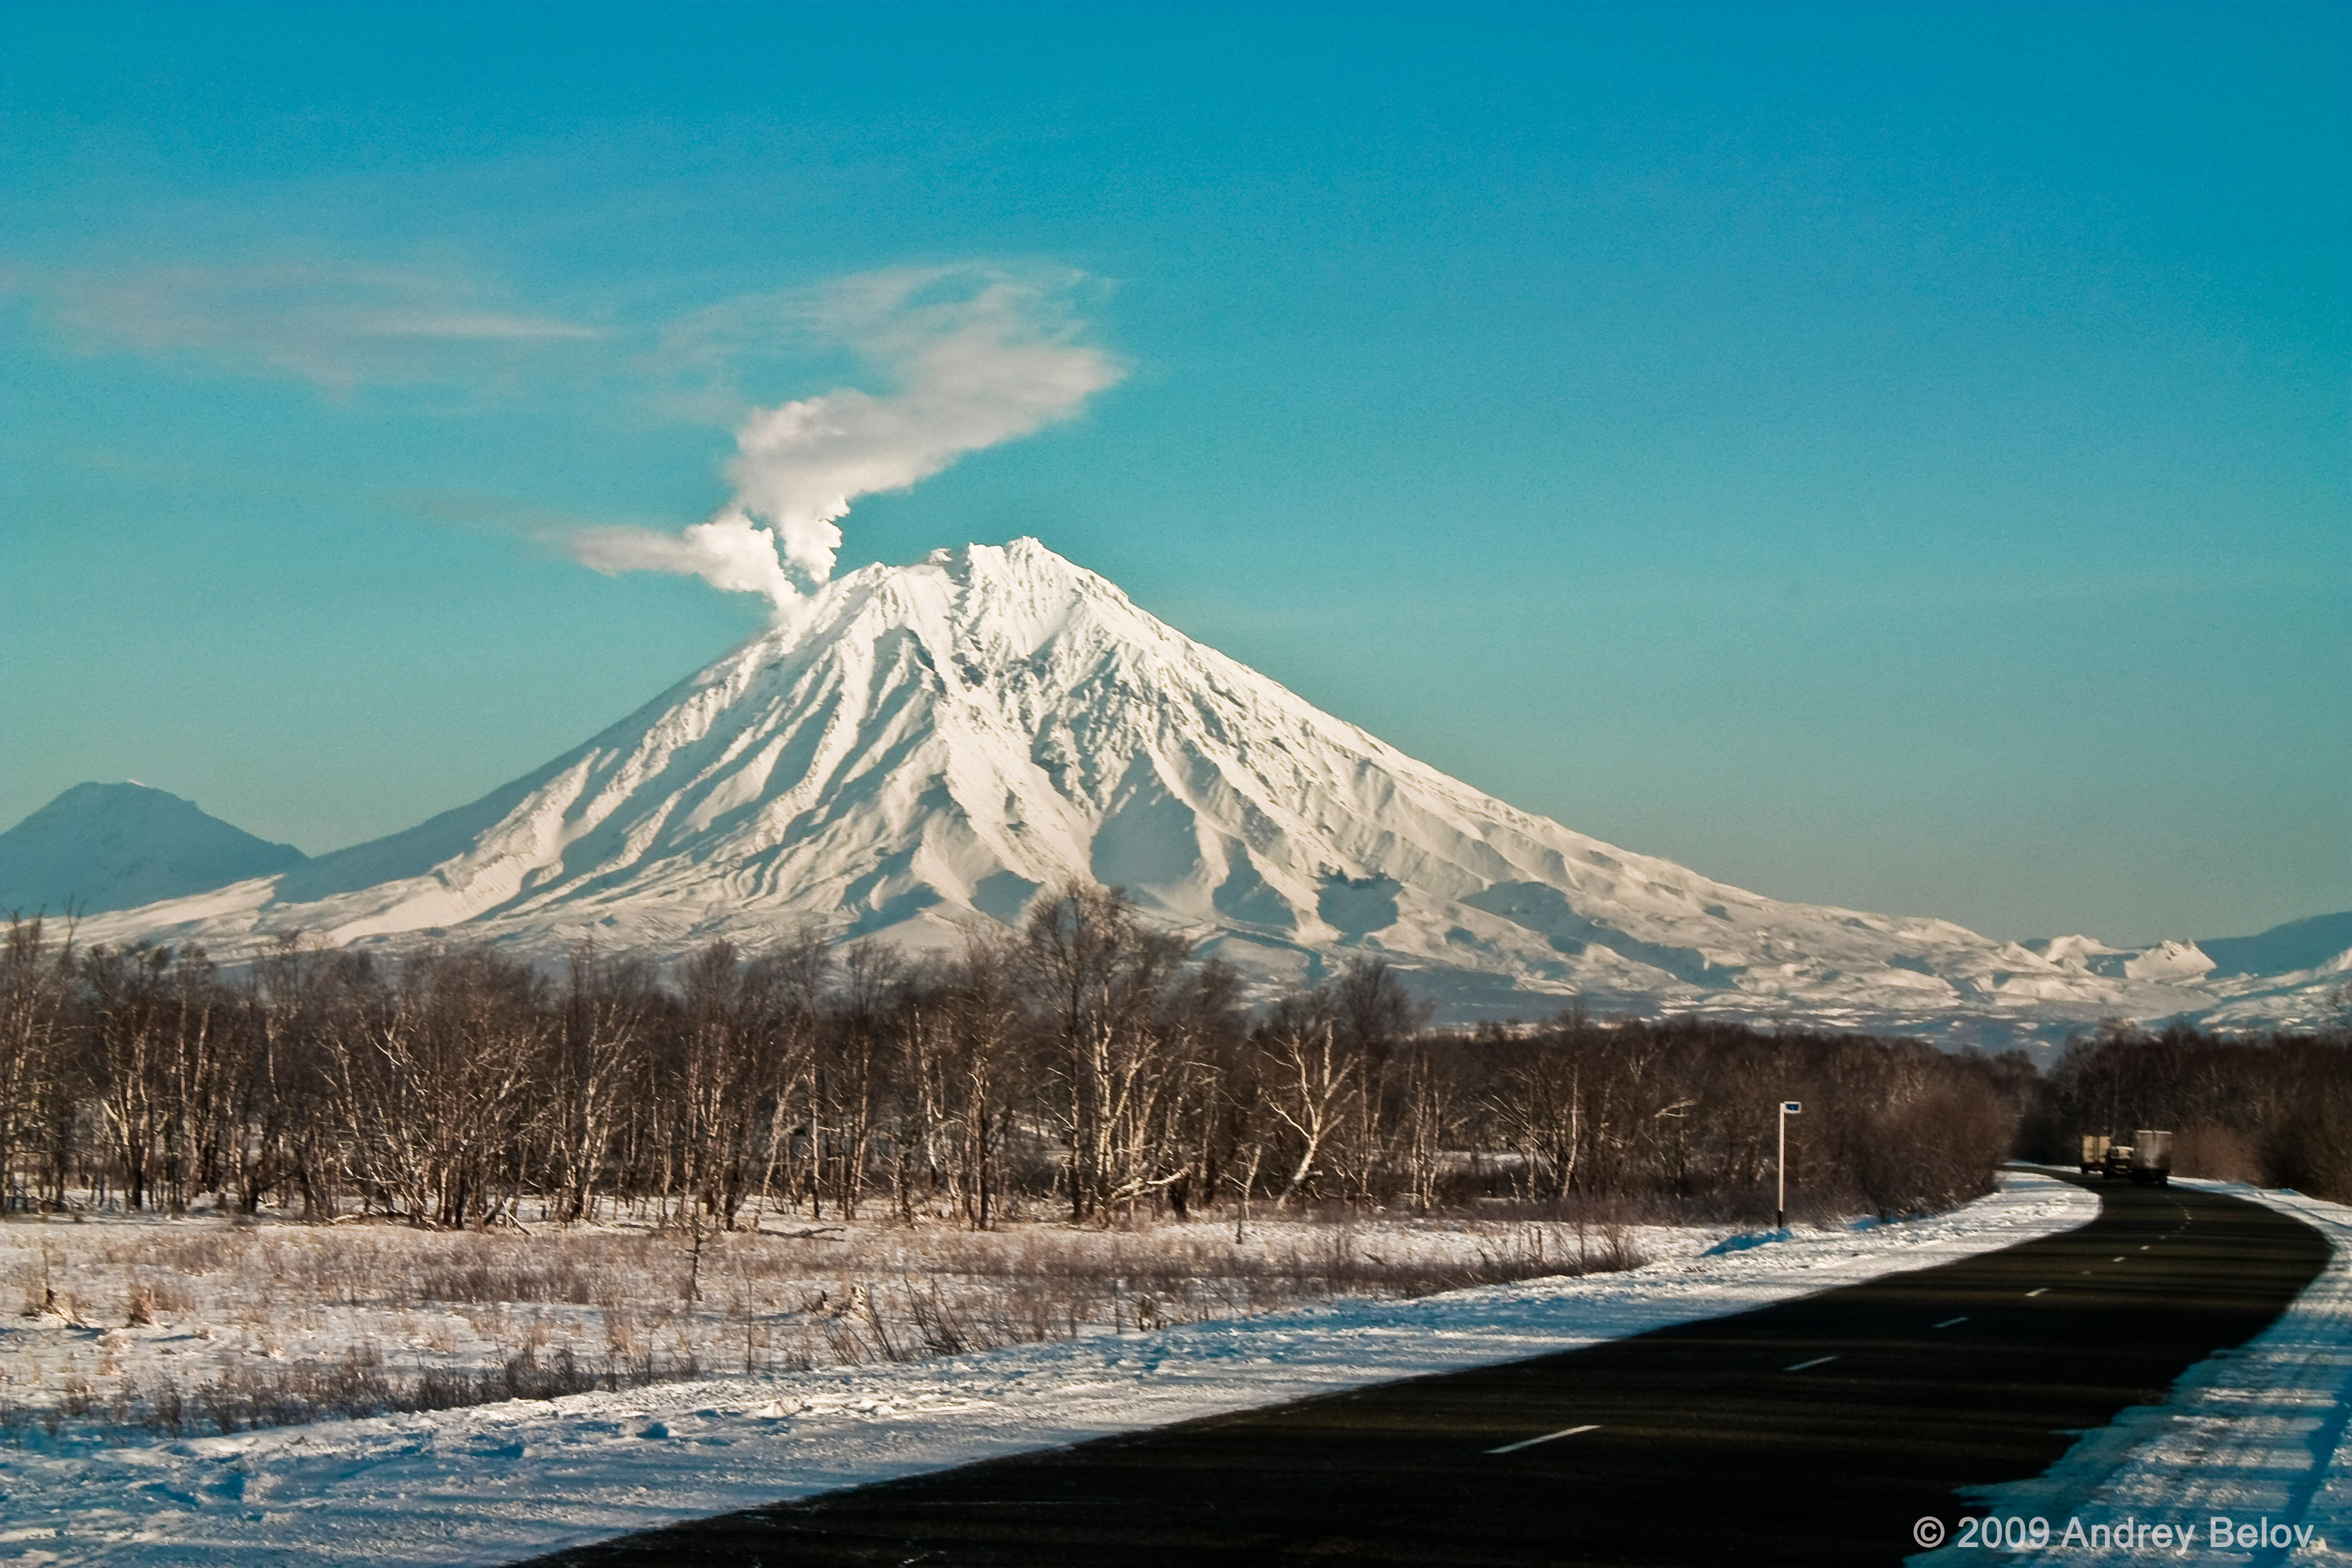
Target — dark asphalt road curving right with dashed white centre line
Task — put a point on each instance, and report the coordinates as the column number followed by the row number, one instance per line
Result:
column 1808, row 1433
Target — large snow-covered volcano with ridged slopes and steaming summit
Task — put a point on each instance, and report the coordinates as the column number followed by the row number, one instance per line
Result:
column 923, row 749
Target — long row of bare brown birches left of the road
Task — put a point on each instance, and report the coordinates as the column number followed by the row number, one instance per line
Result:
column 1083, row 1066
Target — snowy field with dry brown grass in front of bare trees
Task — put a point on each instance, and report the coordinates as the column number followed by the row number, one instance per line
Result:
column 171, row 1327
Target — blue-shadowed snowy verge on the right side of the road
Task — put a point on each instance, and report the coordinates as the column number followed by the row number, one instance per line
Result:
column 2250, row 1442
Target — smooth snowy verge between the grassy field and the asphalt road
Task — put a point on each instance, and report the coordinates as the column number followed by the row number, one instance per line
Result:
column 502, row 1482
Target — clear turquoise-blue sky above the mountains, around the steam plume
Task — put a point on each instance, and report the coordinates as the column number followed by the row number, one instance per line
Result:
column 1873, row 455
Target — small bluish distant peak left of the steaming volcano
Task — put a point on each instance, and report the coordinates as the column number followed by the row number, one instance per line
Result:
column 116, row 847
